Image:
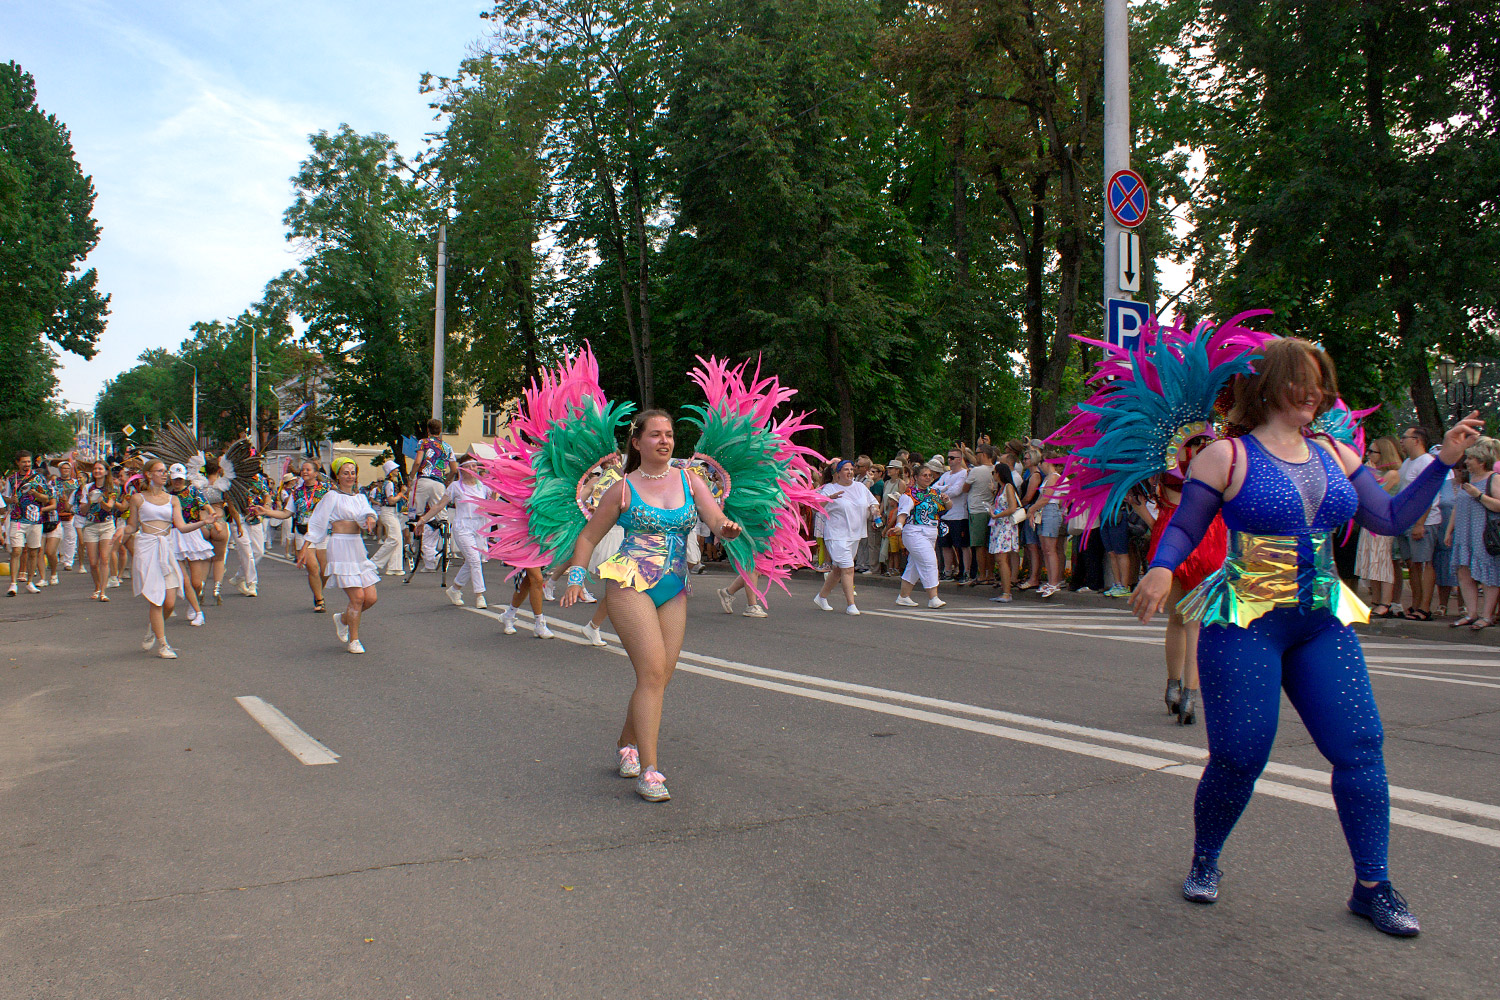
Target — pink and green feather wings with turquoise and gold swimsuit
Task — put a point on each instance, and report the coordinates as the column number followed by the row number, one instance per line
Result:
column 566, row 430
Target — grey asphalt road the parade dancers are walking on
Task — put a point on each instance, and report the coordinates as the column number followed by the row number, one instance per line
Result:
column 979, row 803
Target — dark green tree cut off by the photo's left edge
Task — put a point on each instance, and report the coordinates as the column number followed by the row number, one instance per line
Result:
column 47, row 230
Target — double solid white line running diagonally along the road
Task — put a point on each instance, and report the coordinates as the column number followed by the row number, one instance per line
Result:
column 808, row 687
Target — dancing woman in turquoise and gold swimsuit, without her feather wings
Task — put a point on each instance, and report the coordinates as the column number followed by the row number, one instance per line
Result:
column 647, row 579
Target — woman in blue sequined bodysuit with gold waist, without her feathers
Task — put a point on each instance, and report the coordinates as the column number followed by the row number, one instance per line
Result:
column 1277, row 617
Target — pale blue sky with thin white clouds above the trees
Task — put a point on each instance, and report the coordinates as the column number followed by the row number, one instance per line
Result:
column 193, row 115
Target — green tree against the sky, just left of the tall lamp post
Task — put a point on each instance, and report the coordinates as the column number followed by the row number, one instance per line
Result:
column 364, row 226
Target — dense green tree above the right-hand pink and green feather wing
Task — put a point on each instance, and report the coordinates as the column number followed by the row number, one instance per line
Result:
column 788, row 242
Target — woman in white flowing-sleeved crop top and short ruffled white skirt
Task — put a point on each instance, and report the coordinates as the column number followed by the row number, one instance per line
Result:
column 338, row 519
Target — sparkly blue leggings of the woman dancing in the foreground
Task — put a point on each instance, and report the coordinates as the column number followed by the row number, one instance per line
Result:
column 1316, row 659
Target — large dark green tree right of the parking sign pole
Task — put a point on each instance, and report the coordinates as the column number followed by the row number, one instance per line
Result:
column 1354, row 178
